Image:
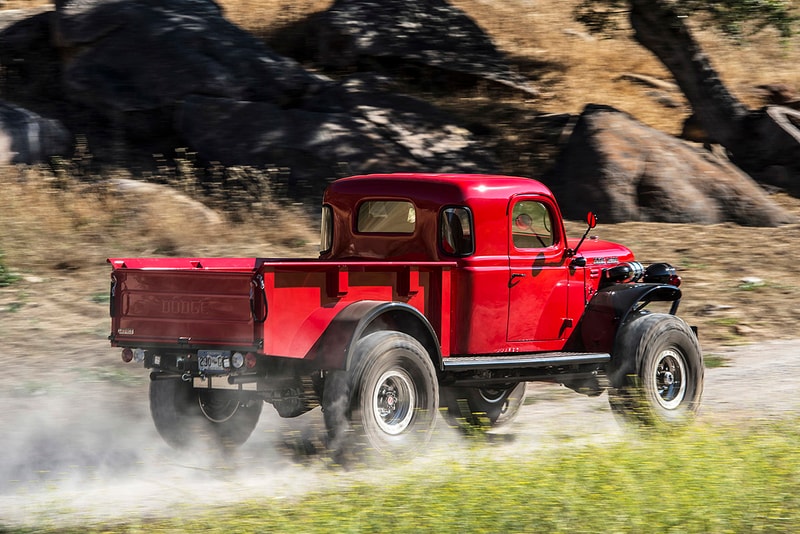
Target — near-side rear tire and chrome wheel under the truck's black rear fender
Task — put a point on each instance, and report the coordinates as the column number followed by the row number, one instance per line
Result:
column 385, row 406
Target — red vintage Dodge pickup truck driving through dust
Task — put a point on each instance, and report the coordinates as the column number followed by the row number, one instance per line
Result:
column 432, row 292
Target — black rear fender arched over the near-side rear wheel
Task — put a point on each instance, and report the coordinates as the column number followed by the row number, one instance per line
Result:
column 335, row 347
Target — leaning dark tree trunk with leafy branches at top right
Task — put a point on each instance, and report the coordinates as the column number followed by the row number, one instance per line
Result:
column 757, row 140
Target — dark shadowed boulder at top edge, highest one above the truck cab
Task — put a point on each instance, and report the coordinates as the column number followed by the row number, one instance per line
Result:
column 431, row 33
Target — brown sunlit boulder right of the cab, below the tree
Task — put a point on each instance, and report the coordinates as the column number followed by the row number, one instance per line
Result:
column 626, row 171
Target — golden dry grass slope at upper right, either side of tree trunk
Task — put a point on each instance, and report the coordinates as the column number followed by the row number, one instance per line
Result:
column 591, row 71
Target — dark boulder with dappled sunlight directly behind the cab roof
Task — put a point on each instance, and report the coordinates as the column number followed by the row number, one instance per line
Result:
column 364, row 131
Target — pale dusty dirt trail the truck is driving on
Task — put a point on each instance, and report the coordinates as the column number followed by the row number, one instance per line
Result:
column 84, row 450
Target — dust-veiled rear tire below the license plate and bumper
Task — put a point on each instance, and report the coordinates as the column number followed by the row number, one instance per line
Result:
column 184, row 416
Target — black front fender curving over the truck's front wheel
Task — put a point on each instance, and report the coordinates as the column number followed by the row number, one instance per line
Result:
column 611, row 306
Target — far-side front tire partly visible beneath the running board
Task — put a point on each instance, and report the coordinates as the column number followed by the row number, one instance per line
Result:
column 491, row 407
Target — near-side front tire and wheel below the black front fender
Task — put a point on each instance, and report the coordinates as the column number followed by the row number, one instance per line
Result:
column 667, row 386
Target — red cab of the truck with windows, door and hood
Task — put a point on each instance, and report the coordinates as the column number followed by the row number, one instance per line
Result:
column 519, row 284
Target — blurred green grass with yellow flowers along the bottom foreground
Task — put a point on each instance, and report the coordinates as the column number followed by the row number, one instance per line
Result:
column 701, row 480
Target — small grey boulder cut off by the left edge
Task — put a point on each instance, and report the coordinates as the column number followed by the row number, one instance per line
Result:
column 26, row 137
